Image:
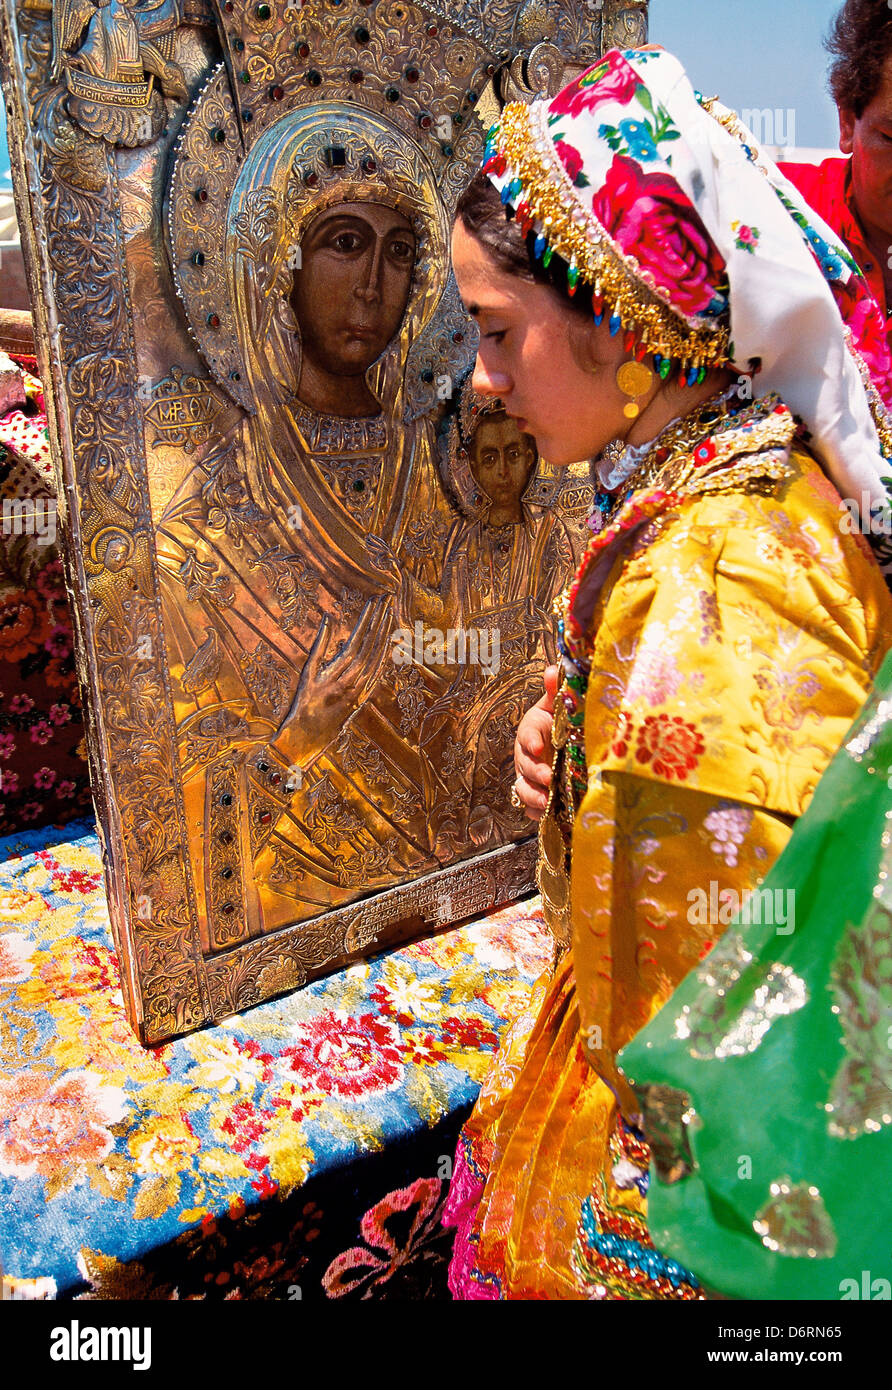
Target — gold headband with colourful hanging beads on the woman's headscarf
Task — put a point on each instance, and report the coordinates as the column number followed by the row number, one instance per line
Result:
column 523, row 162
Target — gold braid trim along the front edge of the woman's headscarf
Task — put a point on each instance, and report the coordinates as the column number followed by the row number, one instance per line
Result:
column 588, row 248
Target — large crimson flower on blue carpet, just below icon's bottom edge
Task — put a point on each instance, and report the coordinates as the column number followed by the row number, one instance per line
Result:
column 347, row 1057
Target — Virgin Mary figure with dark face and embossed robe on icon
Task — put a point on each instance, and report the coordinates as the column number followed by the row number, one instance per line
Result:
column 299, row 736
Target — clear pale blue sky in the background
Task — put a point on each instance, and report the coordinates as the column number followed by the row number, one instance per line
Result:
column 752, row 54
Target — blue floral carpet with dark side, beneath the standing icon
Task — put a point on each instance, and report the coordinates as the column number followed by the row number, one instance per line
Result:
column 301, row 1150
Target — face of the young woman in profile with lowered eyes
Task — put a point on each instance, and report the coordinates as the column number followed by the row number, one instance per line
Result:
column 554, row 369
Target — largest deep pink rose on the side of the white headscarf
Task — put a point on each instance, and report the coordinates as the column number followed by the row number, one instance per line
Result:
column 652, row 219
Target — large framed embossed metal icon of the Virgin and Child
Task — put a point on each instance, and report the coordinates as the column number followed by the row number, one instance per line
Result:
column 313, row 576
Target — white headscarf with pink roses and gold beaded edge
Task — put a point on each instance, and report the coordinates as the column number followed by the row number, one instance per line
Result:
column 695, row 252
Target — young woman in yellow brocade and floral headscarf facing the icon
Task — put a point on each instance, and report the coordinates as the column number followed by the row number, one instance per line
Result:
column 661, row 302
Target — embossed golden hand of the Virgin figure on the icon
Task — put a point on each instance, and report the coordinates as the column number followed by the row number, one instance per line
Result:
column 330, row 693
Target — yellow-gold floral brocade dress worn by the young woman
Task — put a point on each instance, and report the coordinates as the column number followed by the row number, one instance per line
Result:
column 722, row 635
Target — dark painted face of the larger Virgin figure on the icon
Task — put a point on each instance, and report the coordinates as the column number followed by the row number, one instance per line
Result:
column 352, row 288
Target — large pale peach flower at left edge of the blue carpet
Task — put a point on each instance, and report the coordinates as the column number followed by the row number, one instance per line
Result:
column 49, row 1125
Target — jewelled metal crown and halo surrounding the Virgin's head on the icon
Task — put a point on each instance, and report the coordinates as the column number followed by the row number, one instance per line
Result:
column 376, row 124
